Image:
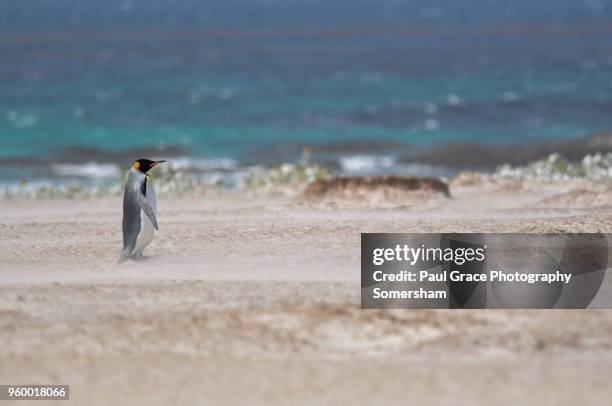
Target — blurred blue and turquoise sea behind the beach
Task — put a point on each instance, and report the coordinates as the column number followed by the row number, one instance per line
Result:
column 254, row 80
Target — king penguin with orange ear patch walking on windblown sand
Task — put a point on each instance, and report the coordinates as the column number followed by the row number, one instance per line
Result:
column 139, row 209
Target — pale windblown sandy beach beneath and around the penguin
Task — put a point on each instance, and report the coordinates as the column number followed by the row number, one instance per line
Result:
column 256, row 301
